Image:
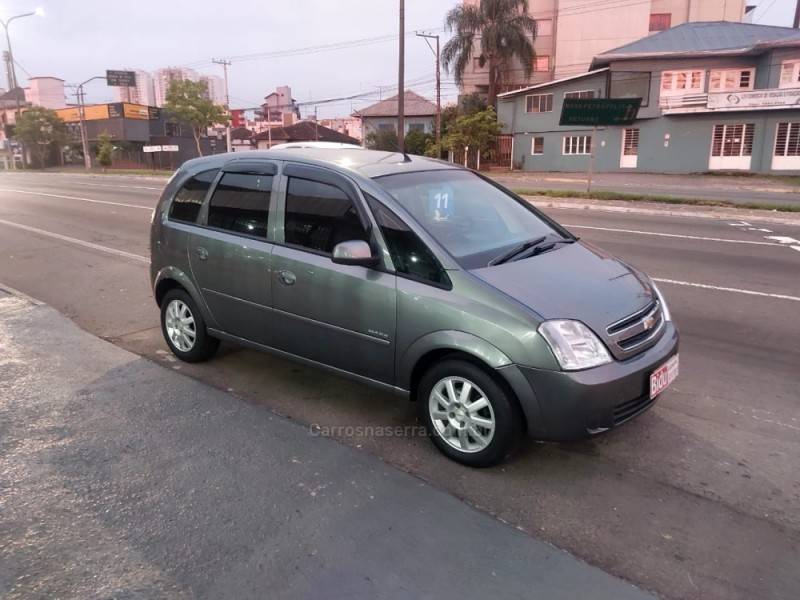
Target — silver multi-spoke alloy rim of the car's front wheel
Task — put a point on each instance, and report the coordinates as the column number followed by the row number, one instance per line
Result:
column 461, row 414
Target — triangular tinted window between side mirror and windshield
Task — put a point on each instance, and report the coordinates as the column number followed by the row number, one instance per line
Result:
column 409, row 253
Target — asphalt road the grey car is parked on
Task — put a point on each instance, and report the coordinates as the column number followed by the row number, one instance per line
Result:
column 698, row 498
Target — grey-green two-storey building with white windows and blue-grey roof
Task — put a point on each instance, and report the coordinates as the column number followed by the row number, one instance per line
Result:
column 715, row 96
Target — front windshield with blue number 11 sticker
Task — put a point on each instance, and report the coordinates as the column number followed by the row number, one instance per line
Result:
column 471, row 218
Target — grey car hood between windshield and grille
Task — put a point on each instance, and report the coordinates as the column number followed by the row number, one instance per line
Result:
column 574, row 281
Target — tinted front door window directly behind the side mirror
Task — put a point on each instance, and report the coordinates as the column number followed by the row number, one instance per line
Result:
column 319, row 216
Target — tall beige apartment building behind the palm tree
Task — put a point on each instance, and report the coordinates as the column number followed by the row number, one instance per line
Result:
column 570, row 33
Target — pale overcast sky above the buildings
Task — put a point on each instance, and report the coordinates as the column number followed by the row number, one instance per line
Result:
column 81, row 38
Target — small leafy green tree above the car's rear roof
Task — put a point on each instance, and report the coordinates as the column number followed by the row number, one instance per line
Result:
column 188, row 103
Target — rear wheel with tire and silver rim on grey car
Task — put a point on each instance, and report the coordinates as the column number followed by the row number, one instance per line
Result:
column 184, row 328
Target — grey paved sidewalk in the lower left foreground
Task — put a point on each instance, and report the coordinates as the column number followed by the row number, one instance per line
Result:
column 120, row 478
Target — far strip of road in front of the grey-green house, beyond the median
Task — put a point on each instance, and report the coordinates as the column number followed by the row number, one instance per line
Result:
column 737, row 189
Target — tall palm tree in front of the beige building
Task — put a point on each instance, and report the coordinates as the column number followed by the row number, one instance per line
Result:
column 504, row 29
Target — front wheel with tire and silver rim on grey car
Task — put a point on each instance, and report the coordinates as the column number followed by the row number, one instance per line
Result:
column 461, row 430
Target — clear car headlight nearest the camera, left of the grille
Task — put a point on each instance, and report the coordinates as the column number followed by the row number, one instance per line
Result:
column 575, row 345
